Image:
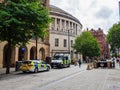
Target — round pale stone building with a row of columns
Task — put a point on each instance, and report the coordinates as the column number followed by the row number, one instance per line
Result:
column 65, row 28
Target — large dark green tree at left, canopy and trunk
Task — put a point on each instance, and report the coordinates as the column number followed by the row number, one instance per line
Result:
column 19, row 21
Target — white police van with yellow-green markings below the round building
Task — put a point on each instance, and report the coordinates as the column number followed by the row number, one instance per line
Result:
column 61, row 60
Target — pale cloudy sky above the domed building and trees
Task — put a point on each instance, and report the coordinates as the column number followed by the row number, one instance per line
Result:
column 91, row 13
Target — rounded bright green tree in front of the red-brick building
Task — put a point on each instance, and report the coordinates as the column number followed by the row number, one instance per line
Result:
column 87, row 45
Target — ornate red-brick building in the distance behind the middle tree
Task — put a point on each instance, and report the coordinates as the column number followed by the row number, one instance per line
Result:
column 101, row 38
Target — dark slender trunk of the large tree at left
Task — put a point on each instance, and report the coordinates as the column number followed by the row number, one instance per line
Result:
column 8, row 61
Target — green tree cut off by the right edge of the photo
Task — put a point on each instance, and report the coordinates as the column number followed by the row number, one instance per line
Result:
column 113, row 37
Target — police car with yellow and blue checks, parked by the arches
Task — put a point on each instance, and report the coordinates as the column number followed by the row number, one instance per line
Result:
column 34, row 66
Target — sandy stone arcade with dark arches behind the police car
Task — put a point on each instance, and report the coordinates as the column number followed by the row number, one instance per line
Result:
column 28, row 53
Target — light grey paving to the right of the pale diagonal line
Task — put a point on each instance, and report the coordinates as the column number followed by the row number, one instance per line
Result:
column 92, row 79
